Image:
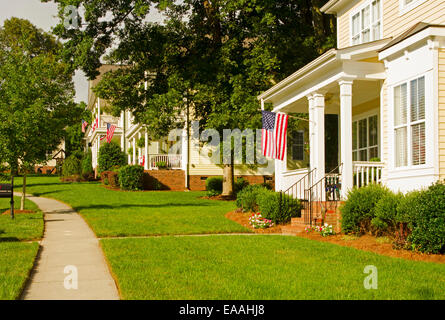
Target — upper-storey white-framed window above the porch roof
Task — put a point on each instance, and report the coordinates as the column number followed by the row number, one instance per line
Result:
column 366, row 23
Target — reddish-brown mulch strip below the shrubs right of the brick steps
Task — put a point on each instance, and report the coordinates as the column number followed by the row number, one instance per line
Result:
column 373, row 244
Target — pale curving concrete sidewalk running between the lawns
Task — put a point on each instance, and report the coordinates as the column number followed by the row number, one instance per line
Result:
column 68, row 246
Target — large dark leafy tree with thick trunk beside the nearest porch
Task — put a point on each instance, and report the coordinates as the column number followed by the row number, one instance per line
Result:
column 214, row 56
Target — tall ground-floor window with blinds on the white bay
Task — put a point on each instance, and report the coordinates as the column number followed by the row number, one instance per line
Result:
column 409, row 123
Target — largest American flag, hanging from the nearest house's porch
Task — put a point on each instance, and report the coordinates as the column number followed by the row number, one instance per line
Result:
column 274, row 134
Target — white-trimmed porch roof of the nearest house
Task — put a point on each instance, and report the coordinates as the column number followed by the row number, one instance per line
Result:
column 359, row 62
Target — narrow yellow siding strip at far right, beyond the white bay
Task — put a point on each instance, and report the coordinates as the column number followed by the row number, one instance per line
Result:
column 442, row 114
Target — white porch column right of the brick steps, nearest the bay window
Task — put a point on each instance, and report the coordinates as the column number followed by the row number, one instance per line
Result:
column 346, row 135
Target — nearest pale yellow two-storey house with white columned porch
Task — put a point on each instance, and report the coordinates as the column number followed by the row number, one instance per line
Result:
column 384, row 87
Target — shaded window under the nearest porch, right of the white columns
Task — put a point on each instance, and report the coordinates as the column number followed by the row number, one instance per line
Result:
column 365, row 139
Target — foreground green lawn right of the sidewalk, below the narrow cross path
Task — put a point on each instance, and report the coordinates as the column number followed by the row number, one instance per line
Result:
column 262, row 267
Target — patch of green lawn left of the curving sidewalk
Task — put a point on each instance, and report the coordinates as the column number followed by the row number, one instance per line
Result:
column 17, row 258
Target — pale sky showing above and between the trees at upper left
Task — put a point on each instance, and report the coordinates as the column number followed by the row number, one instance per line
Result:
column 44, row 16
